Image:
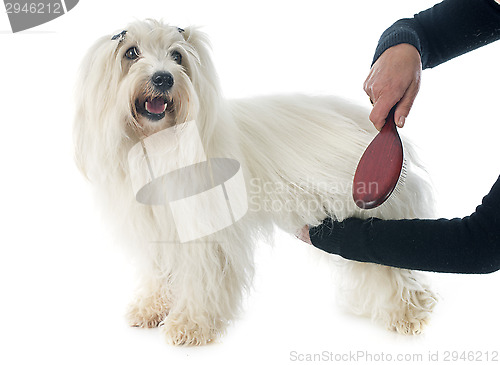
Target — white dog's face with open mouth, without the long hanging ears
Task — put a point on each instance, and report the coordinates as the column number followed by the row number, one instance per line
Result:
column 155, row 64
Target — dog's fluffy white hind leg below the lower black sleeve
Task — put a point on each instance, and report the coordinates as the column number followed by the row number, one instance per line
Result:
column 397, row 298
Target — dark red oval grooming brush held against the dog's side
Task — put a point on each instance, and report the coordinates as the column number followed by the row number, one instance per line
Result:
column 381, row 167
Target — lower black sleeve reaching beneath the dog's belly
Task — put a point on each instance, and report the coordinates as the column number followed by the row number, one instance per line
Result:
column 469, row 245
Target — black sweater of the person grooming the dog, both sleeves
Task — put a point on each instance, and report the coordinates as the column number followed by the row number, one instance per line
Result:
column 468, row 245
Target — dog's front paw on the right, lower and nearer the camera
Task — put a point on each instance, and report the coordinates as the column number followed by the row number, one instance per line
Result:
column 179, row 331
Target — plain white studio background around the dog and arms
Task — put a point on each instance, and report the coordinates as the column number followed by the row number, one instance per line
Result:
column 64, row 285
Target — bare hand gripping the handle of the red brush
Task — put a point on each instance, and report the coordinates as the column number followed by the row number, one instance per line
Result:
column 394, row 79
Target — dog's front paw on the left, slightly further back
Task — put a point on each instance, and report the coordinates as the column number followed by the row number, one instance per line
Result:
column 147, row 312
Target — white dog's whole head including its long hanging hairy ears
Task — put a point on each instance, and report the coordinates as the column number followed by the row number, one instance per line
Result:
column 146, row 78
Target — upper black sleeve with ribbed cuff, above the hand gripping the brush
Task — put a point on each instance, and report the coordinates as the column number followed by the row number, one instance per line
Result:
column 445, row 31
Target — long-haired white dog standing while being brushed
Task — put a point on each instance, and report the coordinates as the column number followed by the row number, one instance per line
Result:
column 298, row 153
